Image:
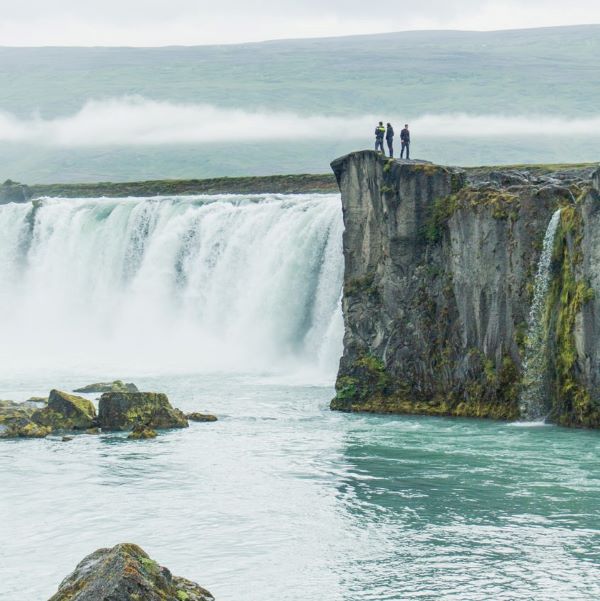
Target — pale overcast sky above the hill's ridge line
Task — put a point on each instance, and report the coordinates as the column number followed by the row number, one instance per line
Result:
column 163, row 22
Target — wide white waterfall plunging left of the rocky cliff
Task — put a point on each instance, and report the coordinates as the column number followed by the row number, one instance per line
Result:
column 234, row 283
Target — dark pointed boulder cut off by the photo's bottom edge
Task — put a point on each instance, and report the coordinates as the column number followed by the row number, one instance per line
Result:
column 126, row 573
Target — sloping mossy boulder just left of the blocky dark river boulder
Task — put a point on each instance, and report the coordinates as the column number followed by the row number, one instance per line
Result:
column 66, row 412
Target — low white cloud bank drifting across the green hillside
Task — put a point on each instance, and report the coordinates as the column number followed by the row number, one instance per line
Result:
column 137, row 121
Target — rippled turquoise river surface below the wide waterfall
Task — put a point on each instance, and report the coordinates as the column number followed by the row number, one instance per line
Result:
column 282, row 499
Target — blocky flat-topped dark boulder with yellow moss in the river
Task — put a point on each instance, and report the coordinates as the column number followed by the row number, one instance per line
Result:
column 122, row 411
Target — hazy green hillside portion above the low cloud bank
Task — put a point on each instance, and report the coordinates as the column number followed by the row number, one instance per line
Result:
column 551, row 70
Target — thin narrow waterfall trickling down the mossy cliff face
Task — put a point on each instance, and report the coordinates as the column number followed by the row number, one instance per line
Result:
column 532, row 403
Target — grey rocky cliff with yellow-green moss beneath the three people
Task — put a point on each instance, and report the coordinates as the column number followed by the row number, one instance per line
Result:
column 439, row 274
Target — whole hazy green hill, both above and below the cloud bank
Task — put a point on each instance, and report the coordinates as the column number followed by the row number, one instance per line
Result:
column 552, row 71
